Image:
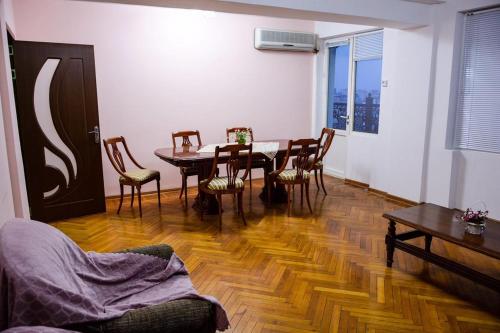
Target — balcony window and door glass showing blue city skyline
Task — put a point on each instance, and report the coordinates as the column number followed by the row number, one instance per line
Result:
column 359, row 100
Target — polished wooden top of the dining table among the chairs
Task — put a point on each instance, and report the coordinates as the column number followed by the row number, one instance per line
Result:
column 183, row 155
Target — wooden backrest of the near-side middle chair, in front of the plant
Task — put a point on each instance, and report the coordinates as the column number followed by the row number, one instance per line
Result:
column 237, row 153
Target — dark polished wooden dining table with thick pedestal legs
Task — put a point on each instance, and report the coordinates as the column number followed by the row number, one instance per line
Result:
column 189, row 157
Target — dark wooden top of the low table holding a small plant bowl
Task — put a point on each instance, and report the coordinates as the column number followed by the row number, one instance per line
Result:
column 443, row 223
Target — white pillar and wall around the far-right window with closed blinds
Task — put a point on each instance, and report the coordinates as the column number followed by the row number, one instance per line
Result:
column 458, row 178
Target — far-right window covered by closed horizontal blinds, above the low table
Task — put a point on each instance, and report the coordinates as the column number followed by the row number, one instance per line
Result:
column 477, row 124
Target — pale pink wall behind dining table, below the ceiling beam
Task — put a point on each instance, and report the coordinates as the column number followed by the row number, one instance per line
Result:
column 161, row 70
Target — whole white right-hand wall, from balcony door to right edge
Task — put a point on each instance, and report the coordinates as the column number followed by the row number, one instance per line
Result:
column 409, row 158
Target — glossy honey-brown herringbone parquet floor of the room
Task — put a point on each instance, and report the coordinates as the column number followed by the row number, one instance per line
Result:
column 320, row 273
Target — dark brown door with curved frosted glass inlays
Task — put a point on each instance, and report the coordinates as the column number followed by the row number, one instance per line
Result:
column 59, row 129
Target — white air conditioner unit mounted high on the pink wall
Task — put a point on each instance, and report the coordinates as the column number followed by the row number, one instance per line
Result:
column 269, row 39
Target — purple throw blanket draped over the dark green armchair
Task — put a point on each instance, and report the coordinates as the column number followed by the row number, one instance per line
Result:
column 47, row 280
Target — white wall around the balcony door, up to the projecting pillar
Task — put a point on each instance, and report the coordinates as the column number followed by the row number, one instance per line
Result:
column 392, row 160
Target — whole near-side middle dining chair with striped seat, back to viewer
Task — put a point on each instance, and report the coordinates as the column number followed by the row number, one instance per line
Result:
column 231, row 184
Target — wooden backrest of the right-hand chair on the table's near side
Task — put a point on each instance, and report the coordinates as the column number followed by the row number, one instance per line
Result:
column 307, row 147
